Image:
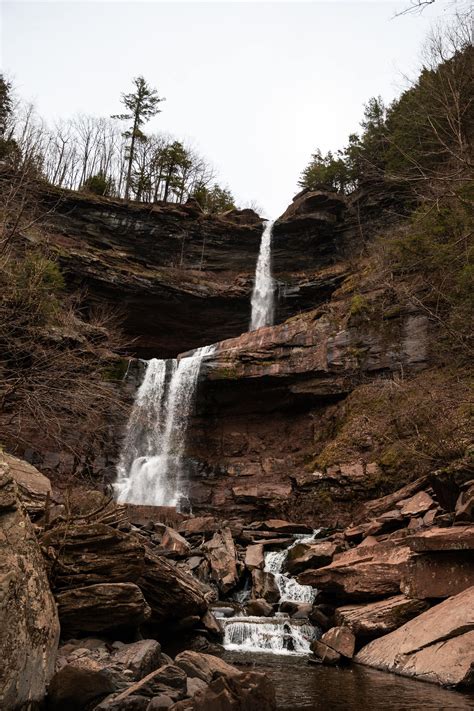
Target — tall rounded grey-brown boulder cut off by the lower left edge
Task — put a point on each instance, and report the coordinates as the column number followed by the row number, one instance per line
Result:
column 28, row 617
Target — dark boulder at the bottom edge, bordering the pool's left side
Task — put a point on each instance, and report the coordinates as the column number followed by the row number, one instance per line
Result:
column 247, row 691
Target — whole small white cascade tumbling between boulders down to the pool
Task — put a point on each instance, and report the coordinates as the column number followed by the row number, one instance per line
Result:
column 280, row 634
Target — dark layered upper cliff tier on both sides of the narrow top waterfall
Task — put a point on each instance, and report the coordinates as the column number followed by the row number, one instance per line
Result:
column 180, row 278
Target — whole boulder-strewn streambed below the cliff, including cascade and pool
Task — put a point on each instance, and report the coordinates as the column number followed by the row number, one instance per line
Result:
column 131, row 607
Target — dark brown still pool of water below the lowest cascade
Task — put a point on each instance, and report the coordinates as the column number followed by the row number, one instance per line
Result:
column 304, row 687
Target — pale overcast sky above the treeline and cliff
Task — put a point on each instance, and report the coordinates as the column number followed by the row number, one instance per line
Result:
column 255, row 86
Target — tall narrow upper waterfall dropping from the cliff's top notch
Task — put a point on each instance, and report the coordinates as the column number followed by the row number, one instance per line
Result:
column 264, row 287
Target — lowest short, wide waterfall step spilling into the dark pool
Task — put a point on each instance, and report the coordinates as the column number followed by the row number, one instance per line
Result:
column 280, row 635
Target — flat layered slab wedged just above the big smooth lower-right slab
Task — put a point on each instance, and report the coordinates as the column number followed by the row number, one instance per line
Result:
column 378, row 618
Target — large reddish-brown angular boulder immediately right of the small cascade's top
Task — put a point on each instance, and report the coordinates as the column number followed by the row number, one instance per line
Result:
column 360, row 574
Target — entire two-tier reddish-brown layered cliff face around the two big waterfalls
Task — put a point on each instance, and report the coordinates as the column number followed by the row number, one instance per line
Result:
column 297, row 420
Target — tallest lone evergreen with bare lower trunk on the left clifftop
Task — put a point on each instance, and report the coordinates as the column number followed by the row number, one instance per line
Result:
column 142, row 105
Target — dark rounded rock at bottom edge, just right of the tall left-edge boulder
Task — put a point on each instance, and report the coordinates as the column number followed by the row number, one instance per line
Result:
column 74, row 689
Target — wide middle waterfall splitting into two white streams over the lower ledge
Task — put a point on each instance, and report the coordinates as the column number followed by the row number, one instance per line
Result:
column 151, row 467
